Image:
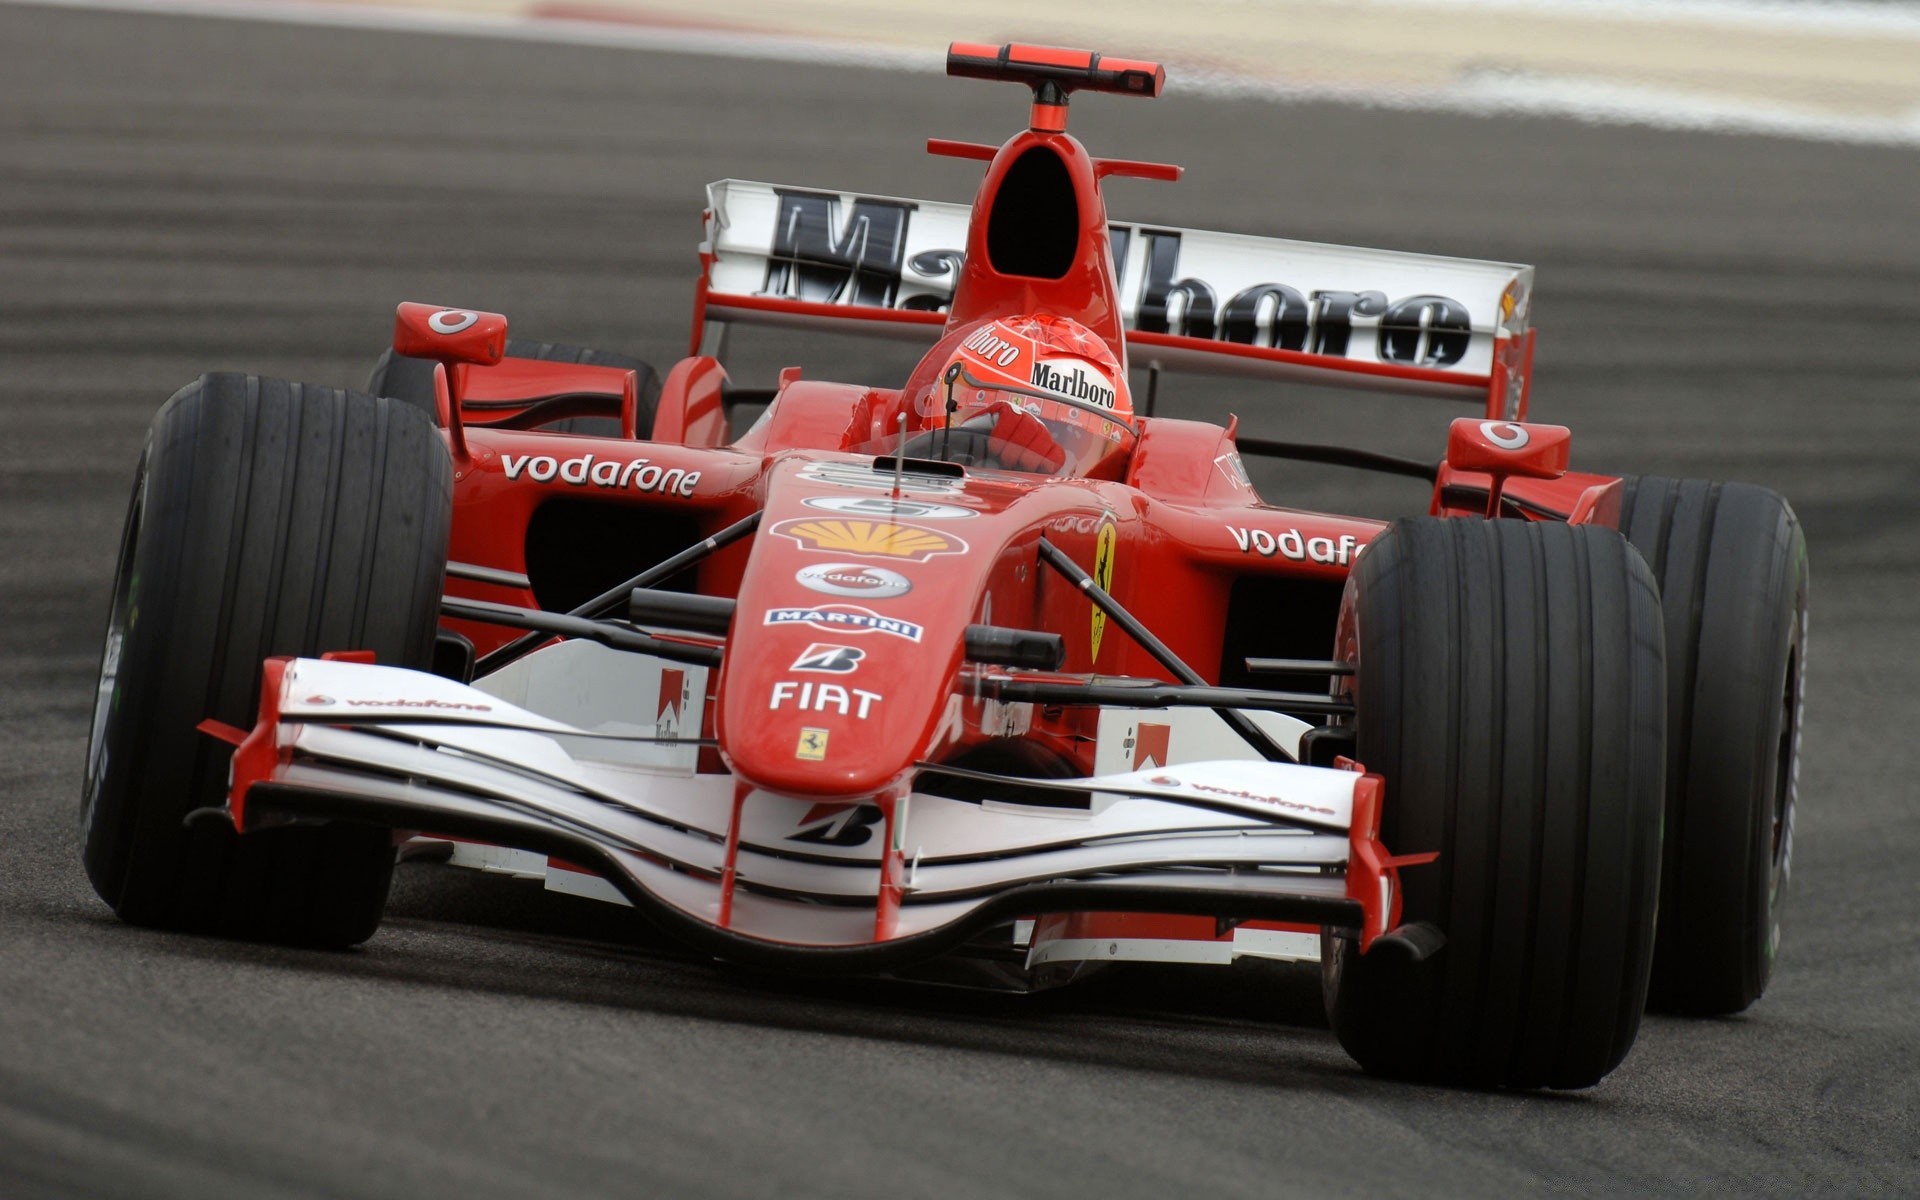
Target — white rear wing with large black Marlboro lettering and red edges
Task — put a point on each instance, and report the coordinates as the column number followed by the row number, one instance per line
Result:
column 1193, row 300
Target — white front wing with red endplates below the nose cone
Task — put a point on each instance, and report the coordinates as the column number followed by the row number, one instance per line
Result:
column 779, row 880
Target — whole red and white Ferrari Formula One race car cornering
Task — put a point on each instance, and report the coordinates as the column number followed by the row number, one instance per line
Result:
column 990, row 675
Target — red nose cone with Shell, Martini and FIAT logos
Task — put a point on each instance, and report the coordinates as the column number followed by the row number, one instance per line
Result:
column 848, row 635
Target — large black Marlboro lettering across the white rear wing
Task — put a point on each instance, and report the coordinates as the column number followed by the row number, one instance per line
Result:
column 853, row 251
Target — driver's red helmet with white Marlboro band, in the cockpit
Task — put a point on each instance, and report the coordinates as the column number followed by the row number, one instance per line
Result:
column 1045, row 366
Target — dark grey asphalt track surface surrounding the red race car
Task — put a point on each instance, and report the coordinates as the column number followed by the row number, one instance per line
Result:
column 187, row 195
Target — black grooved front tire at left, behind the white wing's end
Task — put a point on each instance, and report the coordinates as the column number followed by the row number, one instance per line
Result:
column 266, row 519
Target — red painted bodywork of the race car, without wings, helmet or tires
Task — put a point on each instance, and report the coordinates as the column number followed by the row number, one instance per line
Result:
column 1168, row 539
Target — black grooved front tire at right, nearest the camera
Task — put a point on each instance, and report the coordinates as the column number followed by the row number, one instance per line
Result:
column 1510, row 692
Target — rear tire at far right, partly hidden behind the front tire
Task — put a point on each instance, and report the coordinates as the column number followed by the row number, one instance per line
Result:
column 1731, row 562
